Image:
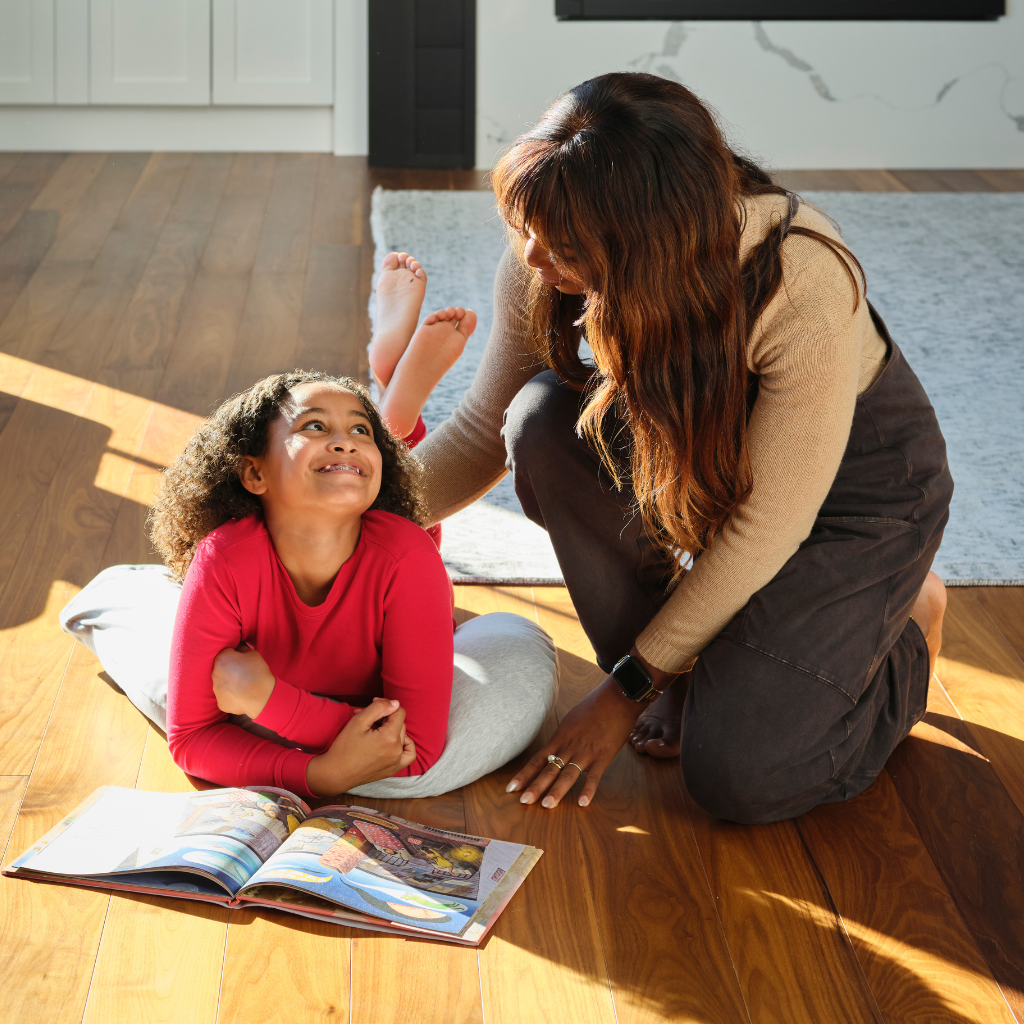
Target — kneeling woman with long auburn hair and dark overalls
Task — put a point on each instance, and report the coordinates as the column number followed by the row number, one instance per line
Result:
column 747, row 517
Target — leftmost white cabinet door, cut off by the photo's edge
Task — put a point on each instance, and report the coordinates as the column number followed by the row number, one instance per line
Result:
column 26, row 52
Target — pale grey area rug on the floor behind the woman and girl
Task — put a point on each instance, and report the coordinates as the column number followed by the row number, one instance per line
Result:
column 947, row 272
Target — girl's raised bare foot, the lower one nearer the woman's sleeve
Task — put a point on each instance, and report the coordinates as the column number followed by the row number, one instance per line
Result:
column 439, row 343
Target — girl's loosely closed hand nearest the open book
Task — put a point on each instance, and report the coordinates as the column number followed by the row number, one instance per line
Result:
column 373, row 746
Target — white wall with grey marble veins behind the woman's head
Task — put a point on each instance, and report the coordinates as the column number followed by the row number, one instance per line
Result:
column 794, row 95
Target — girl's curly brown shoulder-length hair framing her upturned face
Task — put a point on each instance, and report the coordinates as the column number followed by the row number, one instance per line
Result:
column 202, row 490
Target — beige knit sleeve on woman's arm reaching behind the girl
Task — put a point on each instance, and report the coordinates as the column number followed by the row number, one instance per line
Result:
column 464, row 458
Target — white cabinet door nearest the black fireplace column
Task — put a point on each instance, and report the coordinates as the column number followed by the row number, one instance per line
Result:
column 272, row 53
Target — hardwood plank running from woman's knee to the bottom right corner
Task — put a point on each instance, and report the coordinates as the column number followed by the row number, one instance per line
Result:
column 919, row 957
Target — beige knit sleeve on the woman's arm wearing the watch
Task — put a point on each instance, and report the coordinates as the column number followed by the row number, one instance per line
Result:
column 807, row 349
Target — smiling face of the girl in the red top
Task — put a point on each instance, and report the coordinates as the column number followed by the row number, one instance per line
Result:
column 321, row 454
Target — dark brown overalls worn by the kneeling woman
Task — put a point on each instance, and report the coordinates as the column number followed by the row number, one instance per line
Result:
column 806, row 693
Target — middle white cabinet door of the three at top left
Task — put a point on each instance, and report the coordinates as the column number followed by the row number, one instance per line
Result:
column 154, row 53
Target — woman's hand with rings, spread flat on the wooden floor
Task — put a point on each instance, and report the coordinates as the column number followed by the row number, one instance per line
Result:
column 589, row 737
